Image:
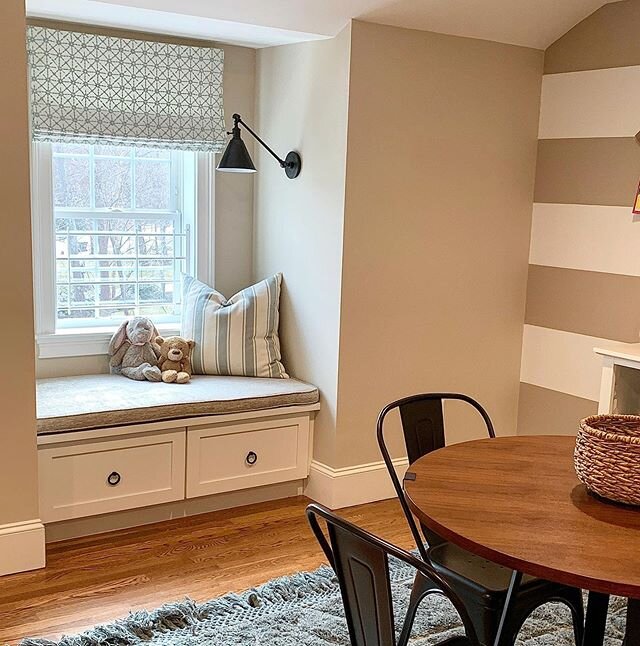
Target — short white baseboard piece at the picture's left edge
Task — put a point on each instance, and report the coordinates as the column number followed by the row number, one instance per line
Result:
column 21, row 546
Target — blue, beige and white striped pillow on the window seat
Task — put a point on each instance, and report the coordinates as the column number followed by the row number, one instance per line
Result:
column 238, row 336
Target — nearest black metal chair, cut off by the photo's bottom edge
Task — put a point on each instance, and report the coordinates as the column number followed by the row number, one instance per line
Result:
column 360, row 561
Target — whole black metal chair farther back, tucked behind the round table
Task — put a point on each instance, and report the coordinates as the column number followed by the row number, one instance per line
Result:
column 481, row 584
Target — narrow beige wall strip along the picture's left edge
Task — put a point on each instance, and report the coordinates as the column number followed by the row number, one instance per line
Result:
column 18, row 471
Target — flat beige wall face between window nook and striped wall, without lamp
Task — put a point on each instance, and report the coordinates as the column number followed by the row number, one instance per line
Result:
column 440, row 174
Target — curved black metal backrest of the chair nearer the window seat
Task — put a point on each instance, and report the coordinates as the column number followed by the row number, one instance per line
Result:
column 423, row 429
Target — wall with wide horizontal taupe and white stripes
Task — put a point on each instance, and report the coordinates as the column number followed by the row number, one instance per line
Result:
column 584, row 272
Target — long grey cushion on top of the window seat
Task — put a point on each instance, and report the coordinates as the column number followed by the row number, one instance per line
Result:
column 98, row 401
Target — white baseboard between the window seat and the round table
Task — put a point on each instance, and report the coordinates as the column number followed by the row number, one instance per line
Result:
column 348, row 486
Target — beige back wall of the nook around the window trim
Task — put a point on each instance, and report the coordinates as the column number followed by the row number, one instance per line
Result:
column 233, row 232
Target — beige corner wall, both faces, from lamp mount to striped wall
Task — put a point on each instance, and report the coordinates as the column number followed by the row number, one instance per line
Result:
column 428, row 285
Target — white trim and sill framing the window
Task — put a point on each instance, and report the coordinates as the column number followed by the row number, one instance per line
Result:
column 77, row 342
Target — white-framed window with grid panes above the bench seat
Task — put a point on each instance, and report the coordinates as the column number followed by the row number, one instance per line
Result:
column 114, row 229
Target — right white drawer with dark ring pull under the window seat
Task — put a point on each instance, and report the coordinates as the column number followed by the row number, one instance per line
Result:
column 238, row 456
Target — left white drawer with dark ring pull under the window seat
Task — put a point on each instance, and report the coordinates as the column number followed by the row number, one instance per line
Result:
column 101, row 476
